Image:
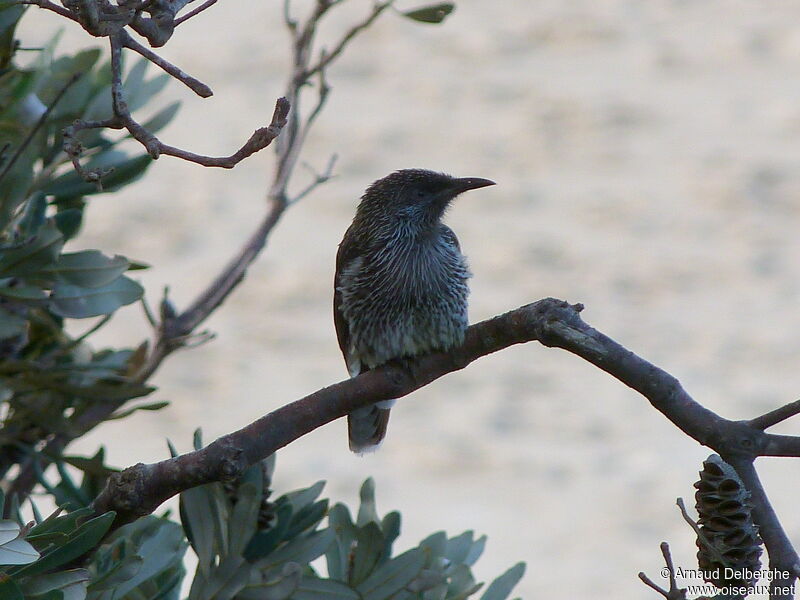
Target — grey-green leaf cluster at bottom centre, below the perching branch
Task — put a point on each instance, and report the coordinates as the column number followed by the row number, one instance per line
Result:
column 244, row 557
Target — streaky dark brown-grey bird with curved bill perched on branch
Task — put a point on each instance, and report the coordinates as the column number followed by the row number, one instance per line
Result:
column 400, row 286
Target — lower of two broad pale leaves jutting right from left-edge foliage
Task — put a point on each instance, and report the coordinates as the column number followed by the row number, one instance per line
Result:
column 78, row 302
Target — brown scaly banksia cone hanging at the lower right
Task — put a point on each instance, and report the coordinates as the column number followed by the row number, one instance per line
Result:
column 729, row 547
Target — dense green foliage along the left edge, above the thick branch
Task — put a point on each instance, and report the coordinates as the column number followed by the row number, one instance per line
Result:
column 48, row 378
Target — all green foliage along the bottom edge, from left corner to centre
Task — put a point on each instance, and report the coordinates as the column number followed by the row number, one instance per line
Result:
column 248, row 548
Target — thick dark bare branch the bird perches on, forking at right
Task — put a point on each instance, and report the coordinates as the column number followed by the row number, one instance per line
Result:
column 140, row 489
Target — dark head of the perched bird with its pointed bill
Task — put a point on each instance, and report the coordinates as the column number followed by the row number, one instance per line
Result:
column 415, row 196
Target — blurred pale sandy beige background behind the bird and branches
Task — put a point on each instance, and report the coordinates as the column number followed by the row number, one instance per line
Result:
column 647, row 159
